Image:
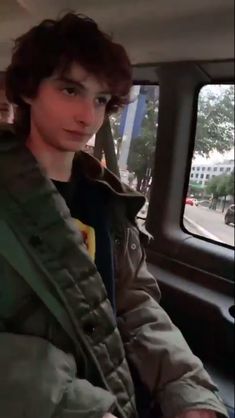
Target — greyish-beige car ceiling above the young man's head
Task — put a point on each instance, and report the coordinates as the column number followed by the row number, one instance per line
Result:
column 152, row 31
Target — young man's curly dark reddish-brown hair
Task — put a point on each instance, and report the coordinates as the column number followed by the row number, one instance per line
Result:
column 54, row 45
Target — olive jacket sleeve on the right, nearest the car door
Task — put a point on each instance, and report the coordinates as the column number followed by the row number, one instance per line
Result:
column 155, row 348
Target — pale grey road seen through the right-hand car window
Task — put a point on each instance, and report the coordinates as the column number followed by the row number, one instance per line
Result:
column 209, row 223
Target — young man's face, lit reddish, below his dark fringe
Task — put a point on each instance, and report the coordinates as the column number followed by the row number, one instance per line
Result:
column 68, row 110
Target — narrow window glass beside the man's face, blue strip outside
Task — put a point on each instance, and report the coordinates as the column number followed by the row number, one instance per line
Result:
column 134, row 132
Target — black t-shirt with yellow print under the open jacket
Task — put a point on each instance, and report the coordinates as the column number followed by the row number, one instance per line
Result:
column 88, row 204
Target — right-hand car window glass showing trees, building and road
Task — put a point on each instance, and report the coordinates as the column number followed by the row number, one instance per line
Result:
column 209, row 208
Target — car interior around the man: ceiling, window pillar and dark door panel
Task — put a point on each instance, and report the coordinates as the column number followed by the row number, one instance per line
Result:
column 180, row 46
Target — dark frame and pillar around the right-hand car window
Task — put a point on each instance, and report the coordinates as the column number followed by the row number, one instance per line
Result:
column 171, row 240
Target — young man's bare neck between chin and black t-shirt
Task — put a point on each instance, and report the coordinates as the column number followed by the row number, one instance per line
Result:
column 56, row 163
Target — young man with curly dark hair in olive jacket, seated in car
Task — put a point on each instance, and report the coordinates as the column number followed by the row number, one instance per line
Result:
column 82, row 331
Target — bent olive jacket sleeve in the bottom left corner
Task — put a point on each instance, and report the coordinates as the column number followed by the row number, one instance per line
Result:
column 39, row 380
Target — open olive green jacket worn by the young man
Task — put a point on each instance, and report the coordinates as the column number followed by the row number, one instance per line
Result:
column 63, row 353
